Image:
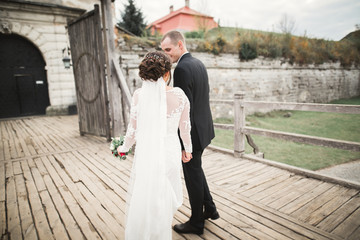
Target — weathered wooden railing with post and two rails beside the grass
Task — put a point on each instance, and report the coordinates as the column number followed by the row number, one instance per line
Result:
column 241, row 131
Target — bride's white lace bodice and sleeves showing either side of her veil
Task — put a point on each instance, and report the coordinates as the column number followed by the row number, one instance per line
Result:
column 178, row 109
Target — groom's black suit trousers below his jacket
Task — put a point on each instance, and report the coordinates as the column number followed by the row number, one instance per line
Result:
column 198, row 190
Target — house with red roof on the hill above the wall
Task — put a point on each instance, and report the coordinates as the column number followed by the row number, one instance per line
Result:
column 184, row 20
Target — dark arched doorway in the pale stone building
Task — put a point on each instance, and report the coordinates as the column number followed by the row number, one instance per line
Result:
column 23, row 83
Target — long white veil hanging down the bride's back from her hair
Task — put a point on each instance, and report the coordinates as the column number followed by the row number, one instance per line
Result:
column 148, row 194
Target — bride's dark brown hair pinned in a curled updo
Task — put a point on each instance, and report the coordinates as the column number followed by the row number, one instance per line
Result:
column 154, row 65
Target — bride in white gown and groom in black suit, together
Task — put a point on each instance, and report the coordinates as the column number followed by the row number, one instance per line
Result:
column 168, row 124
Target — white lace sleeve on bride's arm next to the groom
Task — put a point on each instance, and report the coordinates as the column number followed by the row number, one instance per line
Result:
column 185, row 126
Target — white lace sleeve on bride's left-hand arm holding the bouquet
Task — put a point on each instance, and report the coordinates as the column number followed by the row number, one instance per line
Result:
column 130, row 136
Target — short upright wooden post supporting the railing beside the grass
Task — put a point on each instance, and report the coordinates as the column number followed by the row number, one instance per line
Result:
column 239, row 123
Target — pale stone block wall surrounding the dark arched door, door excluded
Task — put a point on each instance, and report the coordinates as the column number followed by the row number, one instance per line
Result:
column 44, row 26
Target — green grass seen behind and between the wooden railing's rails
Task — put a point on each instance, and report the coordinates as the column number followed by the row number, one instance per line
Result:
column 329, row 125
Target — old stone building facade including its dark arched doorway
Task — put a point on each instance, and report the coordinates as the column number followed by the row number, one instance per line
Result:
column 33, row 42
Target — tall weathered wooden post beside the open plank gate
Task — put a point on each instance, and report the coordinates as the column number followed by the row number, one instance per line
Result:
column 115, row 94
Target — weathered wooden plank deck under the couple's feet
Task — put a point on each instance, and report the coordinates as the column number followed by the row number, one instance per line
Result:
column 55, row 184
